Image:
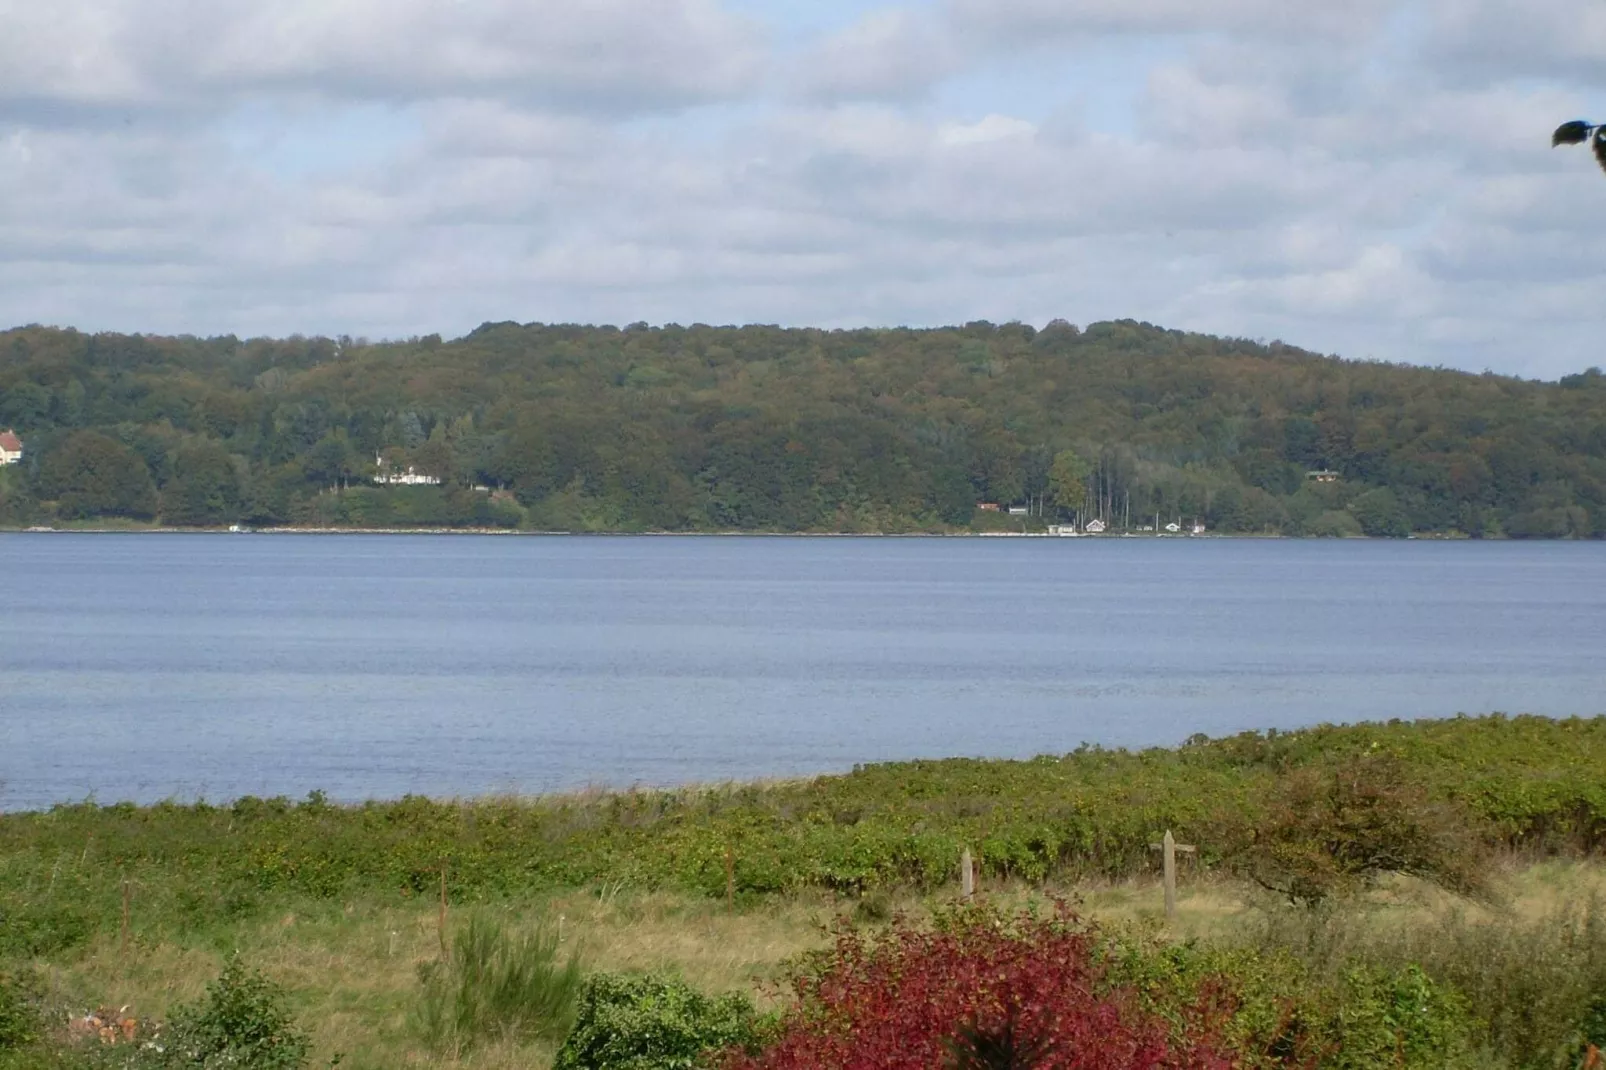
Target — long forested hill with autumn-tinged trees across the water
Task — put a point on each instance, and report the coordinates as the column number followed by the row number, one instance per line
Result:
column 581, row 428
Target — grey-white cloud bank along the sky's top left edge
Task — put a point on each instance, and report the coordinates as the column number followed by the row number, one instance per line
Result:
column 608, row 55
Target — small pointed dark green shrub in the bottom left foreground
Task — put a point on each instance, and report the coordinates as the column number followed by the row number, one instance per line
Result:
column 243, row 1023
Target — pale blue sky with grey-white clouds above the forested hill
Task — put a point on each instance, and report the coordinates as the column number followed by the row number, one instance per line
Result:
column 1371, row 179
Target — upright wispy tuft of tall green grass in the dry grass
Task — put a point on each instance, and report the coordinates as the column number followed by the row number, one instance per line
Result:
column 499, row 986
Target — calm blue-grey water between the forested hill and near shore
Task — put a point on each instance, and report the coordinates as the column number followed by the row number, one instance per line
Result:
column 372, row 666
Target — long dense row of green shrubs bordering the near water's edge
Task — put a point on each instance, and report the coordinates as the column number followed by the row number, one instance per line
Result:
column 1522, row 783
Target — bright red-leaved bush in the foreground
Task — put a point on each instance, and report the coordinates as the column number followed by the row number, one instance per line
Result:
column 979, row 992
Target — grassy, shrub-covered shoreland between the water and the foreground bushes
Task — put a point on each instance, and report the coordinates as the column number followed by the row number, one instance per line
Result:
column 1469, row 851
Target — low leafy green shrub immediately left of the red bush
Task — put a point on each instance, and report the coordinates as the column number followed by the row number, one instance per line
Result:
column 653, row 1024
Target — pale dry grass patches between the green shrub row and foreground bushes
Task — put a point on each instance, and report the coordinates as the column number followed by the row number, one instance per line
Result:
column 354, row 970
